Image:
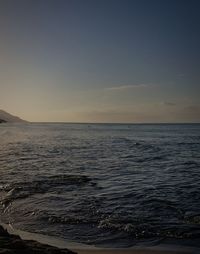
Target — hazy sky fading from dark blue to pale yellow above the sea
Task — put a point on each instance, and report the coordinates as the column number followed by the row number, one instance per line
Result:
column 129, row 61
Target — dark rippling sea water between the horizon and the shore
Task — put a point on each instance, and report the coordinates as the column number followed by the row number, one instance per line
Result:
column 107, row 185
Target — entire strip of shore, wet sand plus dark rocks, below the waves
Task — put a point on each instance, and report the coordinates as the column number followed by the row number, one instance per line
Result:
column 37, row 243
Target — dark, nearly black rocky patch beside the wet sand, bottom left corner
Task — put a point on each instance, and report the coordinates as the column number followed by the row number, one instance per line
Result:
column 12, row 244
